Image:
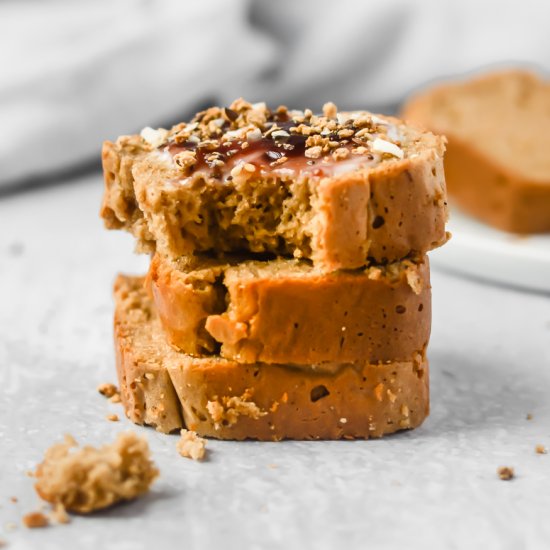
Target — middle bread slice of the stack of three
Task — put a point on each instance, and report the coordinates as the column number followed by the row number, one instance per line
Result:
column 287, row 311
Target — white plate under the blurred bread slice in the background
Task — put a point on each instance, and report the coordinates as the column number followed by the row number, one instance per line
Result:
column 478, row 250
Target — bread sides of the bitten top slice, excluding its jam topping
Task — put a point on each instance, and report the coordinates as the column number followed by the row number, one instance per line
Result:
column 382, row 213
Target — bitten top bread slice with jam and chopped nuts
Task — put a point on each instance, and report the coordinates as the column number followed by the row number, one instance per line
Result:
column 340, row 189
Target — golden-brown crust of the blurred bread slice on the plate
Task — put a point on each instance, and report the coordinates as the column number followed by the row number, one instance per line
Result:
column 501, row 196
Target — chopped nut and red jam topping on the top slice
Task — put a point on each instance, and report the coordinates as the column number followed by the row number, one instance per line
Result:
column 216, row 138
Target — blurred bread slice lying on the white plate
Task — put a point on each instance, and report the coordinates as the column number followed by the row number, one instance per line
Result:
column 497, row 163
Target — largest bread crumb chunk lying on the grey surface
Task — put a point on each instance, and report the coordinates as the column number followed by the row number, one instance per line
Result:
column 87, row 478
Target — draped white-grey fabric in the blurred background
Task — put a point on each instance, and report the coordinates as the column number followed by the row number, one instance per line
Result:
column 76, row 72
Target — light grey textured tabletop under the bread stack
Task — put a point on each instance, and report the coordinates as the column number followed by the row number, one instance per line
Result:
column 432, row 488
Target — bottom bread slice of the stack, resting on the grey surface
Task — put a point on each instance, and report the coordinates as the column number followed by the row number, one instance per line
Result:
column 223, row 399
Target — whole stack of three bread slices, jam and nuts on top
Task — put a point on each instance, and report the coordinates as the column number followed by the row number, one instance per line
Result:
column 288, row 294
